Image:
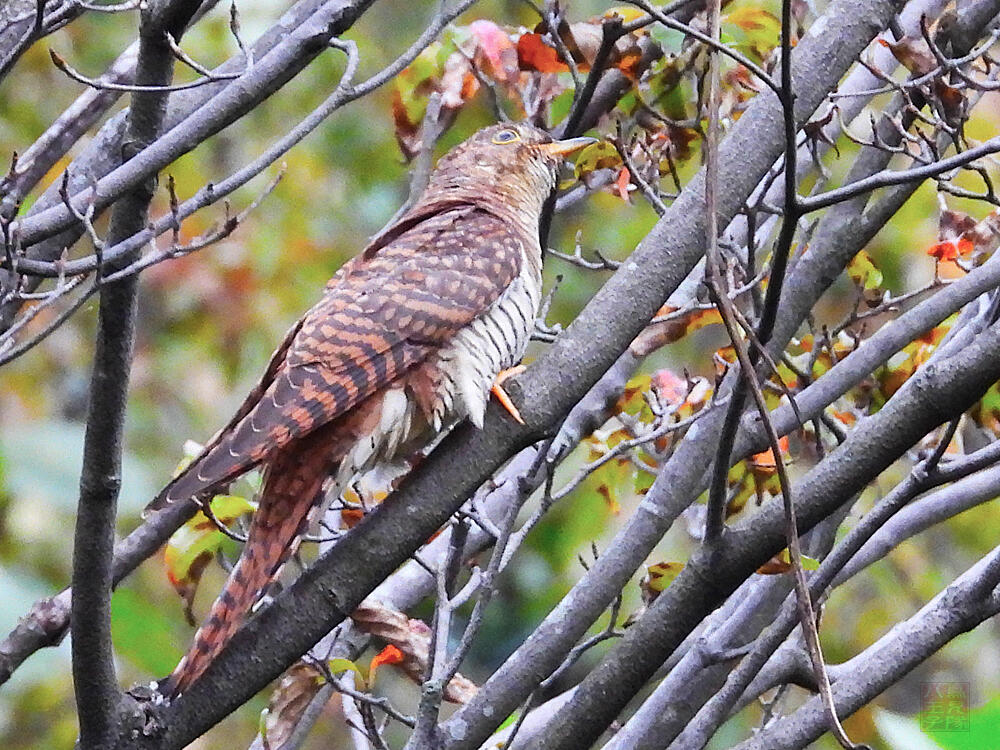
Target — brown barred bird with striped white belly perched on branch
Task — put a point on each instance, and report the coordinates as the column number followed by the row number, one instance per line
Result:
column 407, row 339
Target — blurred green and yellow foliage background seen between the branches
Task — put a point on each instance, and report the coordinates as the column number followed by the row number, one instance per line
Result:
column 210, row 320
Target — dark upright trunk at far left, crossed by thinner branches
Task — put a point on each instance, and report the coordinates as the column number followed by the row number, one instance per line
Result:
column 94, row 680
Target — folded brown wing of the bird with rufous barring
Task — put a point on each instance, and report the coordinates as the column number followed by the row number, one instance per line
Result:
column 383, row 313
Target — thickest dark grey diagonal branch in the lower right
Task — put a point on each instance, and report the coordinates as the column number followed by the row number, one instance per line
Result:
column 929, row 398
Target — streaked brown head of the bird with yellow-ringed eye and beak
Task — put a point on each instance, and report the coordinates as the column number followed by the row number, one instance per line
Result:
column 514, row 166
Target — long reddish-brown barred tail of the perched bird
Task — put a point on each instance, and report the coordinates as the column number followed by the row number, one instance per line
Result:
column 292, row 487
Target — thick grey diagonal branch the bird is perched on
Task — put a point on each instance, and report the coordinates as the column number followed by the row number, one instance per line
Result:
column 332, row 588
